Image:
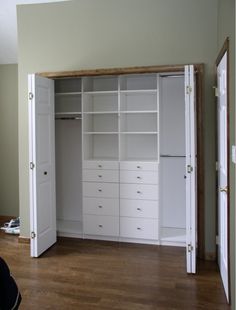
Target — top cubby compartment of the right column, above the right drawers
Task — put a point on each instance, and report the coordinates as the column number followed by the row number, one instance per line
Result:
column 134, row 82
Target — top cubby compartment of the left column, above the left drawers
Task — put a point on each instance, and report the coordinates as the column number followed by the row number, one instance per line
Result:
column 100, row 84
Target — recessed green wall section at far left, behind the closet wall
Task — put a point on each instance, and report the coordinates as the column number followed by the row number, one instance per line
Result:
column 9, row 191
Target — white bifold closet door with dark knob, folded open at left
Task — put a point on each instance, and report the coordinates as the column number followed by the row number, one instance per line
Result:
column 42, row 164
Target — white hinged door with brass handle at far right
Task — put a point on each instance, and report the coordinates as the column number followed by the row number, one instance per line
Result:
column 222, row 172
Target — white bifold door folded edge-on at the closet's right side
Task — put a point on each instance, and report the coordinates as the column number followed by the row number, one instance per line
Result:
column 191, row 169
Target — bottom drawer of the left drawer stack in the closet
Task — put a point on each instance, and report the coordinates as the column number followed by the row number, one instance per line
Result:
column 101, row 225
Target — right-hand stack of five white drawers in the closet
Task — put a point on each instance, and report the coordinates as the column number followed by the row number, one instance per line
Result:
column 139, row 200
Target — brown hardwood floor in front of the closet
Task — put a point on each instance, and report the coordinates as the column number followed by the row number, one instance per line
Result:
column 83, row 274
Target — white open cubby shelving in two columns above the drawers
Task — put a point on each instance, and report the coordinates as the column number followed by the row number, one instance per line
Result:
column 120, row 117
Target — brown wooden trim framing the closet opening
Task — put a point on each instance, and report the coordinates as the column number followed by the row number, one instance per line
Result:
column 199, row 74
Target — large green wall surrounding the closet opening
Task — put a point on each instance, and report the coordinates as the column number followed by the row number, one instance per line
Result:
column 92, row 34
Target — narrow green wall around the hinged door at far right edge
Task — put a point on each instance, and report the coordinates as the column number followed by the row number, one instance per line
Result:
column 226, row 28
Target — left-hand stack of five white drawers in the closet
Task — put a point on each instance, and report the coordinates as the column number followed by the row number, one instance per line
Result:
column 101, row 198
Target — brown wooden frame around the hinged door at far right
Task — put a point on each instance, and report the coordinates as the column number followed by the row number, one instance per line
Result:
column 224, row 49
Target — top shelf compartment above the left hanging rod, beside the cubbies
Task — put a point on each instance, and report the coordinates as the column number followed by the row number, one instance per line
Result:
column 68, row 86
